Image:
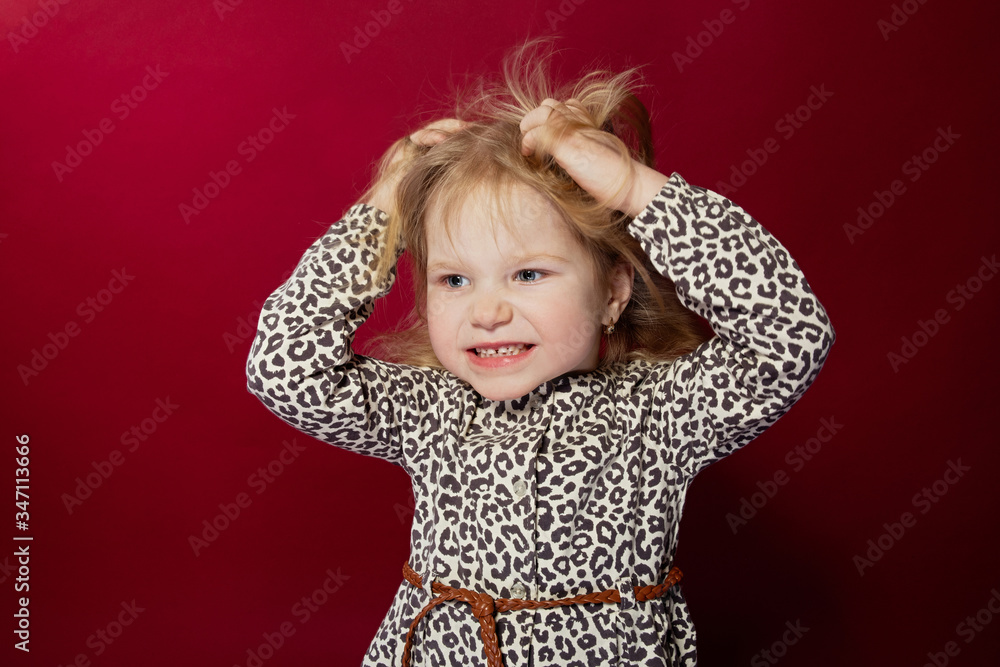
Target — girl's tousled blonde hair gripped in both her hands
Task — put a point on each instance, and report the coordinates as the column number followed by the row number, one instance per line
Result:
column 484, row 157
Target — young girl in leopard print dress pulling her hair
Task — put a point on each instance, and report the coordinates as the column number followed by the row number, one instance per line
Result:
column 552, row 398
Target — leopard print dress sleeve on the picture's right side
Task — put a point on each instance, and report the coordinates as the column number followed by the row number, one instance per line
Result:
column 772, row 334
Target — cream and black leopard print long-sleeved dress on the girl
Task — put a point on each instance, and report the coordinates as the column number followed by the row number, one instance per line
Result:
column 575, row 487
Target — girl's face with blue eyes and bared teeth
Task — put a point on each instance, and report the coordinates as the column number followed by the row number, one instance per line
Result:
column 535, row 290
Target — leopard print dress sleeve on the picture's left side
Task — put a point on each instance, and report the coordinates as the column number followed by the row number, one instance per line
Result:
column 301, row 365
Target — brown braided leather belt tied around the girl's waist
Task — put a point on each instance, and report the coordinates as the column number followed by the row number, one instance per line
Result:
column 484, row 606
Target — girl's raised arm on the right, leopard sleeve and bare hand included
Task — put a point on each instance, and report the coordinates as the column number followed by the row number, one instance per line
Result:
column 772, row 333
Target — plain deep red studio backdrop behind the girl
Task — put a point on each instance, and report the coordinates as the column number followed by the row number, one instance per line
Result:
column 177, row 331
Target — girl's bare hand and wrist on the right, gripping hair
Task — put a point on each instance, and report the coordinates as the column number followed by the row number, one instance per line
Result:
column 591, row 157
